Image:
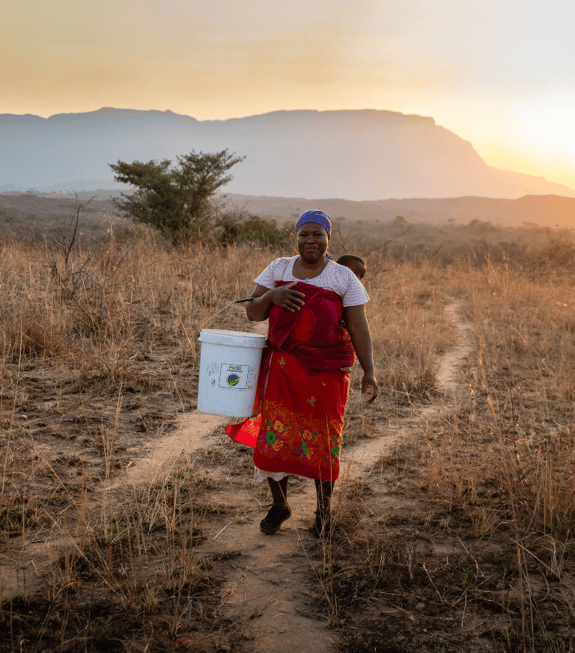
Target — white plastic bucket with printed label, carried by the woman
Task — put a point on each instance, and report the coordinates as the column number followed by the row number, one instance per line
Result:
column 229, row 366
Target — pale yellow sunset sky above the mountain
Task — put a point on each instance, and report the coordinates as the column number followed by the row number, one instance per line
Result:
column 498, row 73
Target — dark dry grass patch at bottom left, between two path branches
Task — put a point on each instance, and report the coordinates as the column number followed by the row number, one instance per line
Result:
column 129, row 578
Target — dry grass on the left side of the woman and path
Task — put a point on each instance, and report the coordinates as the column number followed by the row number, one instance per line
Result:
column 81, row 357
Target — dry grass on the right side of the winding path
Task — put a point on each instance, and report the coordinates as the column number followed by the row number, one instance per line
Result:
column 479, row 556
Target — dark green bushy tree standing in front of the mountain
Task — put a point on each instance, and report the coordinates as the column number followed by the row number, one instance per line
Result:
column 177, row 199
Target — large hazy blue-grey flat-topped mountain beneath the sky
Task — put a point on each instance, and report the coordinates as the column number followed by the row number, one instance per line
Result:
column 354, row 155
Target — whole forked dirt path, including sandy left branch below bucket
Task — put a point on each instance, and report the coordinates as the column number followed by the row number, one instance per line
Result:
column 265, row 591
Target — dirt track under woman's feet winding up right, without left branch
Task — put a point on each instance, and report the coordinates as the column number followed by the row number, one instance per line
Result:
column 273, row 584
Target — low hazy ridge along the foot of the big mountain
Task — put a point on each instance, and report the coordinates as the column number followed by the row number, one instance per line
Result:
column 449, row 228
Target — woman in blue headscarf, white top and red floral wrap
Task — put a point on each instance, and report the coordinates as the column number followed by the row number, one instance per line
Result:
column 304, row 378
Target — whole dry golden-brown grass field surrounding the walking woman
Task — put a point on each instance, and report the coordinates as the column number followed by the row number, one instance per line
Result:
column 459, row 539
